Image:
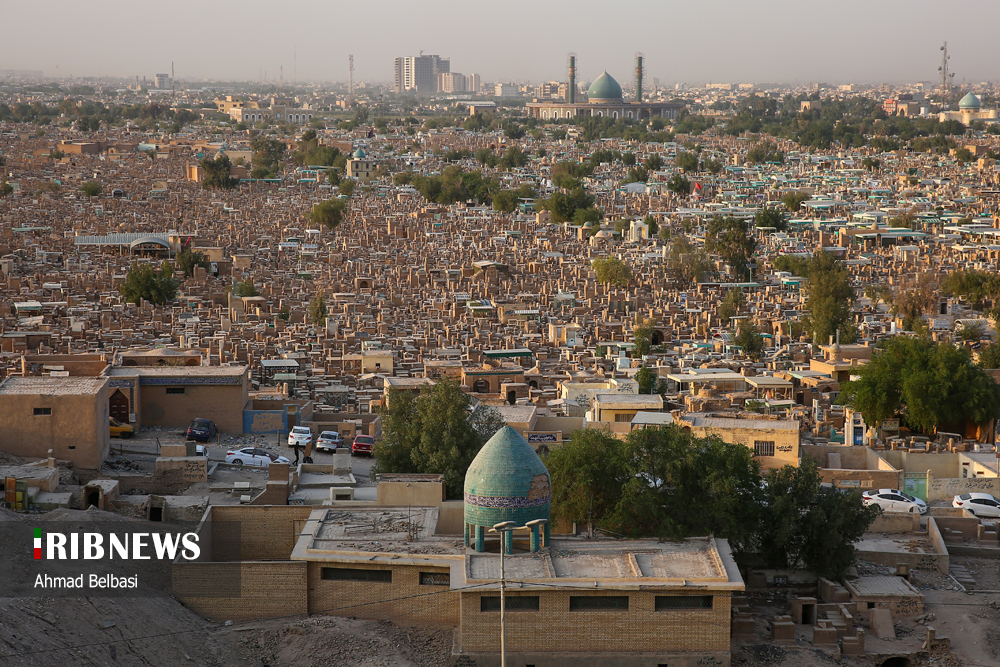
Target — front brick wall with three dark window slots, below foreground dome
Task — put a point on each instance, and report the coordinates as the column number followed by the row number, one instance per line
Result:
column 555, row 628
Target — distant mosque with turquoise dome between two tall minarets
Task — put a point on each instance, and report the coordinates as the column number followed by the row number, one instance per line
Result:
column 604, row 99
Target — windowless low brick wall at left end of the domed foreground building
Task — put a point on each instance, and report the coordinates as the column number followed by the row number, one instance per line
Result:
column 266, row 589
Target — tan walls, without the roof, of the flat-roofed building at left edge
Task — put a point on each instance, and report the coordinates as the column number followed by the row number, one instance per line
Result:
column 76, row 430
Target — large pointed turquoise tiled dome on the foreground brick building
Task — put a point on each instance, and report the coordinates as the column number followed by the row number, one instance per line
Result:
column 506, row 482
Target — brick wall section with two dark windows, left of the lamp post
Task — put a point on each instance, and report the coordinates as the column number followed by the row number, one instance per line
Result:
column 404, row 600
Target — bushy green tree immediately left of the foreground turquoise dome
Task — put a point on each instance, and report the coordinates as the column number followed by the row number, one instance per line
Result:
column 433, row 432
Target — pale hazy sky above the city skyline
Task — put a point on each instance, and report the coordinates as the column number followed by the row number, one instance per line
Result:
column 793, row 41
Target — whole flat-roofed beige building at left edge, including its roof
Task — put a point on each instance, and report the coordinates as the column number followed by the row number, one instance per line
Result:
column 68, row 415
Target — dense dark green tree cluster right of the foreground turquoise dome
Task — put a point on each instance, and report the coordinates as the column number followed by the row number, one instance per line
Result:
column 663, row 482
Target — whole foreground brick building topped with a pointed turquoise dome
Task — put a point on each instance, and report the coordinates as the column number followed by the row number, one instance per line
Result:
column 569, row 599
